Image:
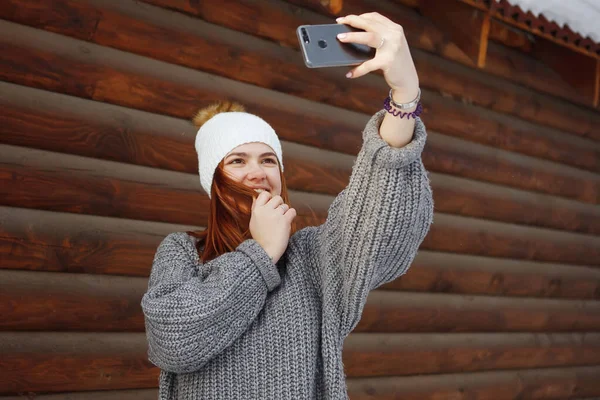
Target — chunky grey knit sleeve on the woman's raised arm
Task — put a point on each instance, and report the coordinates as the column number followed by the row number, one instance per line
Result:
column 375, row 226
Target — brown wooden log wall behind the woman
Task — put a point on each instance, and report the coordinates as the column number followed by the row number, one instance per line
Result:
column 97, row 165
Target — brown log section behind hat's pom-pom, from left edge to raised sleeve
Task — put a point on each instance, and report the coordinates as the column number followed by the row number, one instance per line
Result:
column 165, row 89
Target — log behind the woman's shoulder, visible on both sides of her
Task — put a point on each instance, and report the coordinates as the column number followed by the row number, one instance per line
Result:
column 41, row 241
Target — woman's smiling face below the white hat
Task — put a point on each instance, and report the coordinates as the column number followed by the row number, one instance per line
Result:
column 254, row 165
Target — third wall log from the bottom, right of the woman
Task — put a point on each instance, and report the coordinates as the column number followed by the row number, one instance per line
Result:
column 419, row 312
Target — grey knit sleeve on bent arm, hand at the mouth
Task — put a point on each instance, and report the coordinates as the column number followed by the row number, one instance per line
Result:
column 193, row 312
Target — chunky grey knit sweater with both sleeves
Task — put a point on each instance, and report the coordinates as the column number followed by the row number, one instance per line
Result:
column 240, row 327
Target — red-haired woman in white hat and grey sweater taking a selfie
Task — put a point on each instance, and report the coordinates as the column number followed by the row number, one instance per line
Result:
column 243, row 310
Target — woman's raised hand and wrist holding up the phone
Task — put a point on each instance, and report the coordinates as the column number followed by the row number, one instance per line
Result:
column 392, row 55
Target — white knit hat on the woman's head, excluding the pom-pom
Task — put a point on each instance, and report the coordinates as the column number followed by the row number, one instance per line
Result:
column 223, row 133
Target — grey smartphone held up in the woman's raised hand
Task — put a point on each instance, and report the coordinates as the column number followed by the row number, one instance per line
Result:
column 321, row 48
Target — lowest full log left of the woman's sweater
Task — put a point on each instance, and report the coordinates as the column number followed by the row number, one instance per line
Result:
column 51, row 362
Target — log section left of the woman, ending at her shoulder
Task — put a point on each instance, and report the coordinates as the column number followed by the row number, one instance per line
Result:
column 63, row 242
